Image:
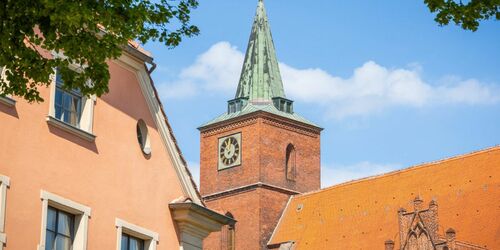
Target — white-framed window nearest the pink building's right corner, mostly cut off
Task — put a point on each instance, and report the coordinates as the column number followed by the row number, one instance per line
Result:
column 133, row 237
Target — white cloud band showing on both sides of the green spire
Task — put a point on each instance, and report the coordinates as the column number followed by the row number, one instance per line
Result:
column 372, row 88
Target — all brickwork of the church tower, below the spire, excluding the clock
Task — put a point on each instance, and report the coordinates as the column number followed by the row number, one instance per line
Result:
column 257, row 209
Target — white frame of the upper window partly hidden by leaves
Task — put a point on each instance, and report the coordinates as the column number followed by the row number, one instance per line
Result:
column 85, row 129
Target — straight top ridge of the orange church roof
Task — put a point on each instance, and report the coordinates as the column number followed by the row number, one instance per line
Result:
column 410, row 168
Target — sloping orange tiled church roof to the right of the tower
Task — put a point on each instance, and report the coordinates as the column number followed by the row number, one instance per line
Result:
column 362, row 214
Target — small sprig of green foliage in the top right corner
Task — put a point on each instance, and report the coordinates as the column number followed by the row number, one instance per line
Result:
column 467, row 15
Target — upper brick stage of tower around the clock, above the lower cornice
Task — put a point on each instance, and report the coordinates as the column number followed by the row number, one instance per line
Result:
column 264, row 143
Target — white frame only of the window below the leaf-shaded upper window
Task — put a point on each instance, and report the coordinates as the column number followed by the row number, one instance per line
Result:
column 81, row 213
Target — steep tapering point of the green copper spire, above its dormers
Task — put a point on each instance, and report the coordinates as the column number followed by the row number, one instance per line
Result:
column 260, row 77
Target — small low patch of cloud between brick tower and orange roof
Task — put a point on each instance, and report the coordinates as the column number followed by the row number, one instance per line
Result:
column 338, row 173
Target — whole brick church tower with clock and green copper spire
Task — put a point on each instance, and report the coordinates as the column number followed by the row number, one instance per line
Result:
column 258, row 153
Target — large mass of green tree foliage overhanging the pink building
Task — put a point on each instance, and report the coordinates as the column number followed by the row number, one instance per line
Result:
column 88, row 32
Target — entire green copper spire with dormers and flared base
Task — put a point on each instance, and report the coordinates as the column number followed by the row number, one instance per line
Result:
column 260, row 88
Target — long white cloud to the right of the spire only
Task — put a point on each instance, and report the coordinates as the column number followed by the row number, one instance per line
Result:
column 373, row 88
